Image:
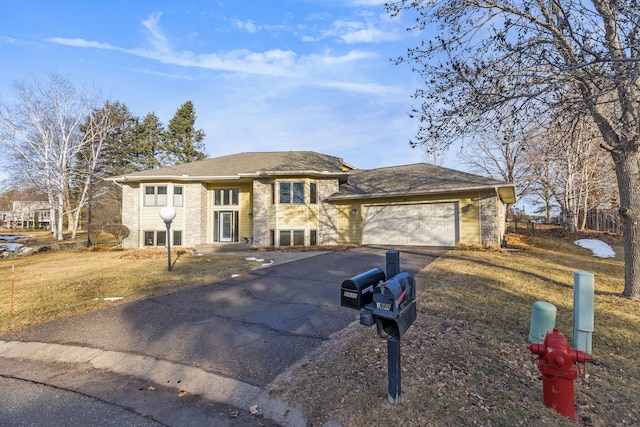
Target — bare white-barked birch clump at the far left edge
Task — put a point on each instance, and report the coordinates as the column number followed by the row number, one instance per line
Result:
column 42, row 130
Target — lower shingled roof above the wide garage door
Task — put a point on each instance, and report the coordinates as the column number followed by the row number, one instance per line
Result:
column 417, row 179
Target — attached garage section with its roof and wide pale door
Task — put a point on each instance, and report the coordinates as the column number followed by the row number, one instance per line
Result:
column 421, row 205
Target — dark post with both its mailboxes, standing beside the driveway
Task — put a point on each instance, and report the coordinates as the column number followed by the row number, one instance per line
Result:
column 389, row 302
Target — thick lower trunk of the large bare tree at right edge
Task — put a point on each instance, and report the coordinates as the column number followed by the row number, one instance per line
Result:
column 628, row 173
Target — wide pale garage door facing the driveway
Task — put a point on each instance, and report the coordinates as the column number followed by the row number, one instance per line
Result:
column 433, row 224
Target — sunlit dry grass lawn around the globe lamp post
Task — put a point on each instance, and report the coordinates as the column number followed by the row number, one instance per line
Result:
column 60, row 283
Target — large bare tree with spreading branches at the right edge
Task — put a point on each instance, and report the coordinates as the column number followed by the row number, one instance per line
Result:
column 494, row 60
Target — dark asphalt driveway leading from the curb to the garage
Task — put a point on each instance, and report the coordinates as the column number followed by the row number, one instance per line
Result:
column 249, row 328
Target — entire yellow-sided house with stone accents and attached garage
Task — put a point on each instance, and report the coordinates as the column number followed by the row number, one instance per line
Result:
column 307, row 198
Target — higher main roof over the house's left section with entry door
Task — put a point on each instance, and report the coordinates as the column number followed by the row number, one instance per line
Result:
column 246, row 165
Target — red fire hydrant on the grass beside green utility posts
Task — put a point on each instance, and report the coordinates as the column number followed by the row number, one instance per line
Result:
column 556, row 361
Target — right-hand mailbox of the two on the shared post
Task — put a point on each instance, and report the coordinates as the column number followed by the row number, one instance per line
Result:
column 395, row 306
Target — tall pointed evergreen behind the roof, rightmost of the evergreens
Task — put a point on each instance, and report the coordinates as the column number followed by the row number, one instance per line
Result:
column 183, row 142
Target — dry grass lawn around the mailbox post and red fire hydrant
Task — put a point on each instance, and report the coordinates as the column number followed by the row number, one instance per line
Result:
column 465, row 362
